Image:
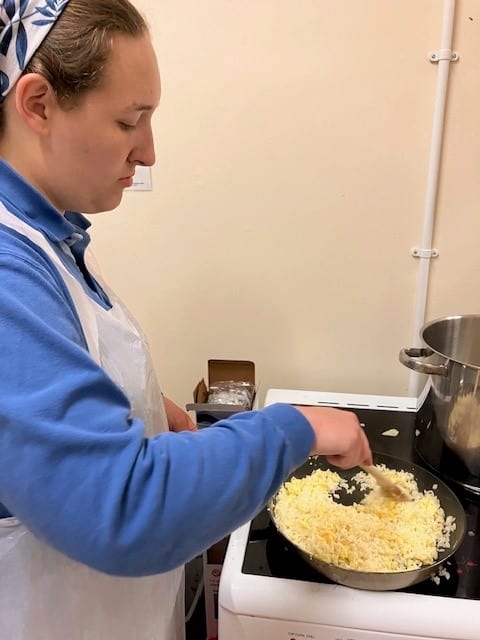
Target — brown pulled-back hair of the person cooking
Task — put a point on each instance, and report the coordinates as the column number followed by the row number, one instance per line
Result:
column 73, row 55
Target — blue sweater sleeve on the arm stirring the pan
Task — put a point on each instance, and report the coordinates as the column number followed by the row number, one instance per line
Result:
column 81, row 474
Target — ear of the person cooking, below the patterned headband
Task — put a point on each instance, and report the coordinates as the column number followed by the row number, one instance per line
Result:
column 35, row 100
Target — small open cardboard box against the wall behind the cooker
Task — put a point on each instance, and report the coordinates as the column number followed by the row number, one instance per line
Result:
column 218, row 371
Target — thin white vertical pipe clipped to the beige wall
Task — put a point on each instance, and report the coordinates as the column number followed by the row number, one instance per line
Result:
column 416, row 381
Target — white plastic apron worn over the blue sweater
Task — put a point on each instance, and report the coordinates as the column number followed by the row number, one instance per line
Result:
column 43, row 594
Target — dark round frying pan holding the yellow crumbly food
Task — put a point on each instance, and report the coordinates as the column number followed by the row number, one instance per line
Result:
column 382, row 581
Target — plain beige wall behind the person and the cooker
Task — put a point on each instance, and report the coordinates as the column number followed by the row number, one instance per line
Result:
column 292, row 150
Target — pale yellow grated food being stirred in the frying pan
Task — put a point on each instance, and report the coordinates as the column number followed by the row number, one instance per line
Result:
column 378, row 534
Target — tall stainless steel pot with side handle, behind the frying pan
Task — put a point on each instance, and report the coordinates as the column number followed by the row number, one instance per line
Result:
column 452, row 348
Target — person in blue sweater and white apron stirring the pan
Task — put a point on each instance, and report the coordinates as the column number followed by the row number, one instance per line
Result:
column 106, row 487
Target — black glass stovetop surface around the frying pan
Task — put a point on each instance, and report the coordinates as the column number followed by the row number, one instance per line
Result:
column 268, row 553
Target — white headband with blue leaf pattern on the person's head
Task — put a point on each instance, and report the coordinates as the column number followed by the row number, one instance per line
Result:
column 24, row 24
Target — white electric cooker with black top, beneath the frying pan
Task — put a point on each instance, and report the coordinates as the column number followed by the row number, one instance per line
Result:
column 261, row 604
